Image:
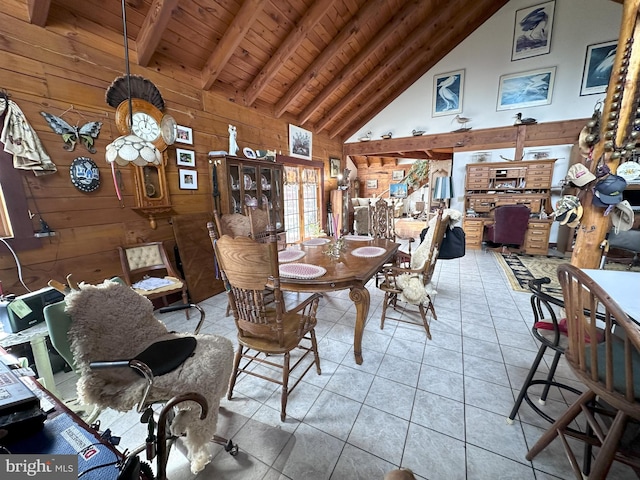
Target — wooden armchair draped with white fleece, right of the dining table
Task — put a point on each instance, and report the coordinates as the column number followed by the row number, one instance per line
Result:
column 412, row 285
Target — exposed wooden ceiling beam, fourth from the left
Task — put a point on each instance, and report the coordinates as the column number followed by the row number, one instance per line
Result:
column 291, row 43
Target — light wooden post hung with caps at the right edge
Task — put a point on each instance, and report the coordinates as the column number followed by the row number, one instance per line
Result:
column 618, row 107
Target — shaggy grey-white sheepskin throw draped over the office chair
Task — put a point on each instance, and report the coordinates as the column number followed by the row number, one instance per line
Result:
column 112, row 322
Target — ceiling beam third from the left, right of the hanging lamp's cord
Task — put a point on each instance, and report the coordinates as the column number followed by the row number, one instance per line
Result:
column 236, row 32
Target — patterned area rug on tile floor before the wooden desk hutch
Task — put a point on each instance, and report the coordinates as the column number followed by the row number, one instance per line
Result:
column 522, row 268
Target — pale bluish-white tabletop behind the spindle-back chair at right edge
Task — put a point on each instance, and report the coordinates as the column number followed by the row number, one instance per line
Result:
column 622, row 286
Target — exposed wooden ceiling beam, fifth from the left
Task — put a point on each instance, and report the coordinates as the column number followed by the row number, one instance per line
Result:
column 366, row 14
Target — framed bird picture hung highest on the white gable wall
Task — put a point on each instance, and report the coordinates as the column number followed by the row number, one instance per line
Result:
column 532, row 31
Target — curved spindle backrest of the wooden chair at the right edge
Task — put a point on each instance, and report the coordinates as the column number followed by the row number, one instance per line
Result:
column 604, row 343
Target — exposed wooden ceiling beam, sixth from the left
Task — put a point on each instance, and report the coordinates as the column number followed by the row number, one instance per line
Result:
column 399, row 21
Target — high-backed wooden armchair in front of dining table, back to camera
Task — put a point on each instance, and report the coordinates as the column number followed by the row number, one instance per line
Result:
column 266, row 330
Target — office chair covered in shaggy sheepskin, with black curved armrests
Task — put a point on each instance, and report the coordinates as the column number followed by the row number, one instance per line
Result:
column 126, row 357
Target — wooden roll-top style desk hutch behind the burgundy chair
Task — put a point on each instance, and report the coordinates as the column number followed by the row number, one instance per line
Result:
column 490, row 185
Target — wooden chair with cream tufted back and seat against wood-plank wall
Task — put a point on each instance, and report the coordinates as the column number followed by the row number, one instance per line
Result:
column 150, row 259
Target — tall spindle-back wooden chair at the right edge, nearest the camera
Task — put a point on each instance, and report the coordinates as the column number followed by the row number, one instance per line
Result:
column 604, row 354
